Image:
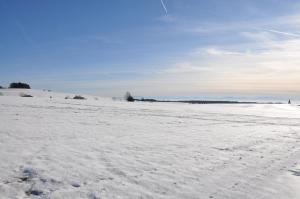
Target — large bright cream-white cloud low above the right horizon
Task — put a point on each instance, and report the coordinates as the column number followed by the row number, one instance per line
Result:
column 272, row 70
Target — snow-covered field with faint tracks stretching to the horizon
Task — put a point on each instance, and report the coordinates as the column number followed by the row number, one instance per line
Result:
column 65, row 148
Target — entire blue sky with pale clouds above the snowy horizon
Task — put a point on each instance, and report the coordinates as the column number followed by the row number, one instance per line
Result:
column 106, row 47
